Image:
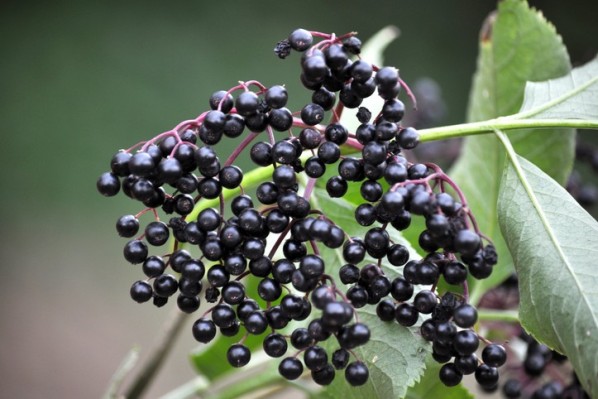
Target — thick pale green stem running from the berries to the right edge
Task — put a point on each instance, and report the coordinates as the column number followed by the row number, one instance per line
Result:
column 502, row 123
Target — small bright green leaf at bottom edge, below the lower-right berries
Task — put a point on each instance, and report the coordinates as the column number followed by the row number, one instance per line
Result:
column 430, row 386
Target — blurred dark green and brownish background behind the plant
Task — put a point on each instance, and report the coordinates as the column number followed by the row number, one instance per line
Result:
column 80, row 80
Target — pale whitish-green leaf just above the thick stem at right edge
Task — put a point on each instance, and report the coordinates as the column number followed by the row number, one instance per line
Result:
column 574, row 96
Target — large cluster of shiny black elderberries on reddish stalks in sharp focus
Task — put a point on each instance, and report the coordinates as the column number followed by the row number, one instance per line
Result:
column 222, row 240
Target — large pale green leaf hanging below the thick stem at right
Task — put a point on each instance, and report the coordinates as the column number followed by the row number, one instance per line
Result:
column 554, row 244
